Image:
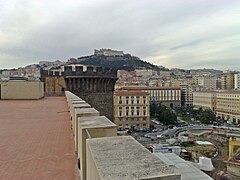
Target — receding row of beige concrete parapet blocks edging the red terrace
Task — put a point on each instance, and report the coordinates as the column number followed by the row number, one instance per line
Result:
column 103, row 155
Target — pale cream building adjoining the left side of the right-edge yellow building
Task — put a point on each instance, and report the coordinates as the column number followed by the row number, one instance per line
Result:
column 205, row 100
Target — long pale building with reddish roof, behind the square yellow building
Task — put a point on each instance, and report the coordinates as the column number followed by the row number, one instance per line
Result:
column 169, row 96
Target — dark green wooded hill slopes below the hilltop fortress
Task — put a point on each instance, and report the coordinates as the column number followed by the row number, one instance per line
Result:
column 125, row 62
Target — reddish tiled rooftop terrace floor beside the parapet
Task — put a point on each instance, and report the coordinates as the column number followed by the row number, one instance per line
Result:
column 36, row 141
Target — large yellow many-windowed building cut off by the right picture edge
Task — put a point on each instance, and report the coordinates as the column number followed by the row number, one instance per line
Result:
column 228, row 105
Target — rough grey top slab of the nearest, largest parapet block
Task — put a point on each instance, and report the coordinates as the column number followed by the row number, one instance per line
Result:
column 123, row 158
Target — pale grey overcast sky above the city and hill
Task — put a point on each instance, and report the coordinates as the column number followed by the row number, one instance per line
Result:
column 172, row 33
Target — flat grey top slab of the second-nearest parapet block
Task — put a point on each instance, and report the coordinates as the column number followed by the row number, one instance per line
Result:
column 94, row 122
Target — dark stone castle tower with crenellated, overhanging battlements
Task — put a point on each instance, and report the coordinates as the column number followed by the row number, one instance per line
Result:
column 94, row 85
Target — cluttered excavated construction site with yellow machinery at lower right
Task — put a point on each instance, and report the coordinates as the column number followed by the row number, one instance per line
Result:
column 214, row 150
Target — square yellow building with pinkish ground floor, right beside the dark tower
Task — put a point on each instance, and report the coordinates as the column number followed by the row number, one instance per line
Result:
column 131, row 109
